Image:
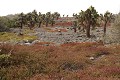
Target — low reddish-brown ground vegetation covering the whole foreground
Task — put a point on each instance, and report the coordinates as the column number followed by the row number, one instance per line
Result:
column 68, row 62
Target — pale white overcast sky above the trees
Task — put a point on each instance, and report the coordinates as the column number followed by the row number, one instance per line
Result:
column 62, row 6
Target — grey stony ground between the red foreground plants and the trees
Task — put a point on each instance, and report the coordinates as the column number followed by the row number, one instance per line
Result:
column 69, row 36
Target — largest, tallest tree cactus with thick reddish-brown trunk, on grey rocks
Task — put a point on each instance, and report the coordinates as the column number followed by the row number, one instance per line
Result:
column 88, row 19
